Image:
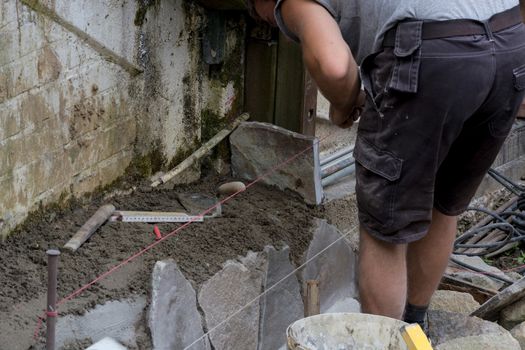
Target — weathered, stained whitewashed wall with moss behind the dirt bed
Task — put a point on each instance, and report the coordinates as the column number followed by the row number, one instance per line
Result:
column 72, row 120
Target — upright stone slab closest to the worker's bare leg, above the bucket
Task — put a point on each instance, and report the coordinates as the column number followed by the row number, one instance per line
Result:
column 335, row 269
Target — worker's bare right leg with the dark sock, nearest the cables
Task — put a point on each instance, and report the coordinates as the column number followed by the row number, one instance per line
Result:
column 427, row 258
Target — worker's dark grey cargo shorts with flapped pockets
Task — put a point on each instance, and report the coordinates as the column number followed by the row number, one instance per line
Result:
column 437, row 113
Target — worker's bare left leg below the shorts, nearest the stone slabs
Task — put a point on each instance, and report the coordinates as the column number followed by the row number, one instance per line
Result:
column 382, row 276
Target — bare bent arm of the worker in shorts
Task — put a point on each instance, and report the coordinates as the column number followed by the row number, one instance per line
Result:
column 326, row 55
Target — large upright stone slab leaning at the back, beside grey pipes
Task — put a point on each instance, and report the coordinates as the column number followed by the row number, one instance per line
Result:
column 257, row 148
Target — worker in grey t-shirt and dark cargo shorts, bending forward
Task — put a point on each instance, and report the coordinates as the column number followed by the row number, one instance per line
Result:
column 443, row 82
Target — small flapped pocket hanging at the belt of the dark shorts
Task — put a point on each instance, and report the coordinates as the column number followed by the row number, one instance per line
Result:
column 405, row 75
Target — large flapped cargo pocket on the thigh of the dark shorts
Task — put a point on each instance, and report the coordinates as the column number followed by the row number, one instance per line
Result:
column 377, row 172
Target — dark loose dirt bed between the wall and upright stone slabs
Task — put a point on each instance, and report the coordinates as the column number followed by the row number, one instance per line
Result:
column 260, row 216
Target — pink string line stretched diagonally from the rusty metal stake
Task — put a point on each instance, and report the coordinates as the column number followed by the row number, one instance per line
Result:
column 174, row 232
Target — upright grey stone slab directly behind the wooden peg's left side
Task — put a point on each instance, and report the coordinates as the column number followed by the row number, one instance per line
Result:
column 282, row 305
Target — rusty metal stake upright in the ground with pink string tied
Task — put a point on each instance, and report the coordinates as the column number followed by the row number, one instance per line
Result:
column 51, row 313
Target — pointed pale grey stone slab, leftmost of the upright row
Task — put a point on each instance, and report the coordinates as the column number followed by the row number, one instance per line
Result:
column 174, row 320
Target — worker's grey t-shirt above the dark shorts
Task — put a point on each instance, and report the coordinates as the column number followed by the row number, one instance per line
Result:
column 363, row 23
